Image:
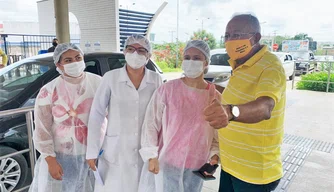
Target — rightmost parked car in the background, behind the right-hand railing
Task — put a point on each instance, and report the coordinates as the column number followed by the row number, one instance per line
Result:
column 305, row 61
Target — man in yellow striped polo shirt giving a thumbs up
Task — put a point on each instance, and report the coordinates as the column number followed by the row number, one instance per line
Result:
column 254, row 104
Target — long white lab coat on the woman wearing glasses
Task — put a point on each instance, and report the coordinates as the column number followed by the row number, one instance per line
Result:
column 120, row 164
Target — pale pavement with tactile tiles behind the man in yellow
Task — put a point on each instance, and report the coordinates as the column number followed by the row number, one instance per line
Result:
column 308, row 146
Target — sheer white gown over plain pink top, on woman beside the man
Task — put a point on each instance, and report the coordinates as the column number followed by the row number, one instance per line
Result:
column 175, row 131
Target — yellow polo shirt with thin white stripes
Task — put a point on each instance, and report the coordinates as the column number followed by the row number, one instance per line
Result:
column 252, row 152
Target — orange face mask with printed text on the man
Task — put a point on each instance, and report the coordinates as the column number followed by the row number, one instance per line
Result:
column 239, row 48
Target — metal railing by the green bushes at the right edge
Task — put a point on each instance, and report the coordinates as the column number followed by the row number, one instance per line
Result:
column 325, row 66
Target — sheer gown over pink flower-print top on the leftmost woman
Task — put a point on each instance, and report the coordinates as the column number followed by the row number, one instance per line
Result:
column 61, row 117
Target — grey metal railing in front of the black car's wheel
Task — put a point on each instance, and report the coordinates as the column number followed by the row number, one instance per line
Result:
column 28, row 111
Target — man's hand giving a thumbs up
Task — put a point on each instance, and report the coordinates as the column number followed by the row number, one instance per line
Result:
column 215, row 112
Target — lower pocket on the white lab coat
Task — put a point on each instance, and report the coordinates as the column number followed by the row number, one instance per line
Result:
column 110, row 148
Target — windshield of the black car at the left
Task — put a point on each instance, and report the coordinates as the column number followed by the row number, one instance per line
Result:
column 13, row 82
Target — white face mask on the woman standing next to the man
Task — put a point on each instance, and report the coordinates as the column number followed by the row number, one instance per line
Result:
column 192, row 68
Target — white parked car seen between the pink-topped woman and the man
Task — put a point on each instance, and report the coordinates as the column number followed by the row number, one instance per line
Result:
column 219, row 71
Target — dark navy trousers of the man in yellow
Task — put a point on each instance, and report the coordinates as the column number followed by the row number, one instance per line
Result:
column 228, row 183
